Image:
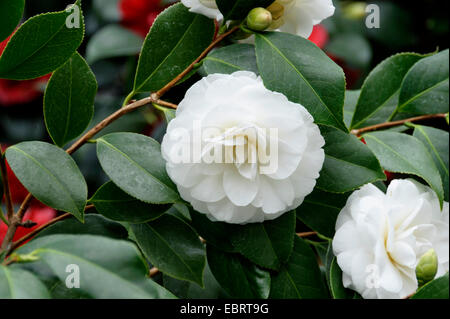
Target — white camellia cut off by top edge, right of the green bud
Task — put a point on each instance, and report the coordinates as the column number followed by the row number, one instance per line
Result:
column 300, row 16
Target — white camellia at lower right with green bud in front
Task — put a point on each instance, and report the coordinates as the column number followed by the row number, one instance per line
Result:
column 381, row 237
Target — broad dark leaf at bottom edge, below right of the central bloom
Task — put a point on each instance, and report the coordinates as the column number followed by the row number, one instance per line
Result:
column 300, row 278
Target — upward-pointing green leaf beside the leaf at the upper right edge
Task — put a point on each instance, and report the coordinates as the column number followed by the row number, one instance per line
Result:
column 380, row 91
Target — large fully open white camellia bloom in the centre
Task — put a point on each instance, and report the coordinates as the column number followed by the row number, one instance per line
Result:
column 269, row 151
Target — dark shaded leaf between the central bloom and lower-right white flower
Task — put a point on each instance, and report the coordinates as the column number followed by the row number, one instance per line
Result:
column 319, row 211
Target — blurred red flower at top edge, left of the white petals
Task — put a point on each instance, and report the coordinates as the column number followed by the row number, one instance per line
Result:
column 138, row 15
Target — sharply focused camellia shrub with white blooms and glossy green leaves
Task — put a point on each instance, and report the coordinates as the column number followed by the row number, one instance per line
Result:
column 272, row 180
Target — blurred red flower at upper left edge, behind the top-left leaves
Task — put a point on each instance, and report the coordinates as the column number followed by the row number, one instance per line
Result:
column 19, row 92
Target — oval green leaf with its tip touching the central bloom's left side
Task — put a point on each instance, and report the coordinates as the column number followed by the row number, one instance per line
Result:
column 135, row 164
